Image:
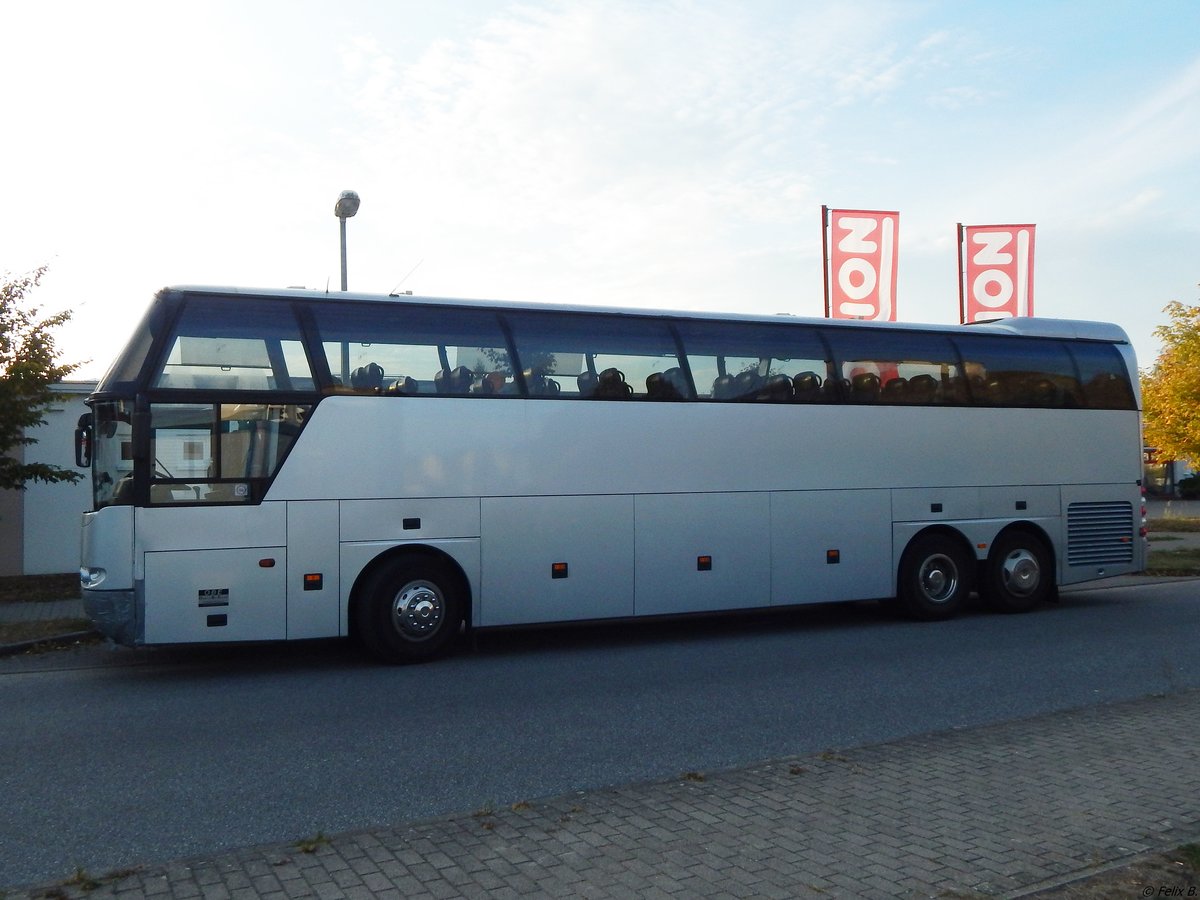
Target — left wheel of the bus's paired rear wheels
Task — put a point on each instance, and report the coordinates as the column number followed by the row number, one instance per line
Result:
column 935, row 578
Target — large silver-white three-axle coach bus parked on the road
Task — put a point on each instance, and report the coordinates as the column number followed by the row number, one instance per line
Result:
column 280, row 465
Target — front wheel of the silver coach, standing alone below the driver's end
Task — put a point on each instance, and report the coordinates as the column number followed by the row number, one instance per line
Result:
column 411, row 609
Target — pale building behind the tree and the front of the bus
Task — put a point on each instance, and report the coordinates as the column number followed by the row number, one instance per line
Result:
column 40, row 526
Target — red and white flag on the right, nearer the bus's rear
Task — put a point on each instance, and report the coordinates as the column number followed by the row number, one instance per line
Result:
column 995, row 272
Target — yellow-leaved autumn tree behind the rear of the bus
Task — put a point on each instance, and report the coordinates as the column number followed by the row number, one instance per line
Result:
column 1171, row 391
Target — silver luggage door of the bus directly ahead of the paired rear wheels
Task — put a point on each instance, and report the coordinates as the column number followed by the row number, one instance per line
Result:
column 831, row 545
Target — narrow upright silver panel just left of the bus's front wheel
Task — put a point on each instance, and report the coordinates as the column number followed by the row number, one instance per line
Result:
column 314, row 604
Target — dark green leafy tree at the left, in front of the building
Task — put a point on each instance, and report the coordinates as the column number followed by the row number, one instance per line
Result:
column 29, row 368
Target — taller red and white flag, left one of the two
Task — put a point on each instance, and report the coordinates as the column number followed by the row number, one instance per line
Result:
column 861, row 265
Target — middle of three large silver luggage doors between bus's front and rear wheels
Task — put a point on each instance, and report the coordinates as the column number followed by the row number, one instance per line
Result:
column 698, row 553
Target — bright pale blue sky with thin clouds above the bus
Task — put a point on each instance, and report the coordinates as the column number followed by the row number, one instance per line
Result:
column 663, row 154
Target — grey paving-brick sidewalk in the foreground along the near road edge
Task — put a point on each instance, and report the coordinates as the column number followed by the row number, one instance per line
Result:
column 988, row 812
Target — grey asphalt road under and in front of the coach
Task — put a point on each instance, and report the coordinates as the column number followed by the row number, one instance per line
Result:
column 111, row 758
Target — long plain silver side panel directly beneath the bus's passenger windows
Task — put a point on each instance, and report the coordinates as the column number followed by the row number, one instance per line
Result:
column 559, row 448
